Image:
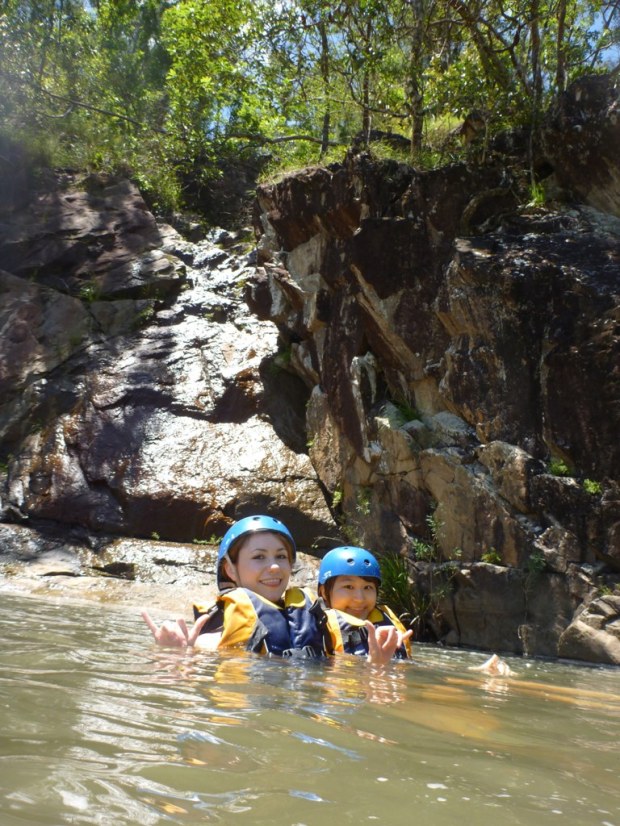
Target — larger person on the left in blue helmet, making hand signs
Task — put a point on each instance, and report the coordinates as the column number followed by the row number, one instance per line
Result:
column 256, row 609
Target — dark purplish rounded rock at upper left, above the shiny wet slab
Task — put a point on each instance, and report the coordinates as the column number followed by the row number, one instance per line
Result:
column 93, row 237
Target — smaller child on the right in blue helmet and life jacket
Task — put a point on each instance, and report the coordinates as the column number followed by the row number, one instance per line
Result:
column 349, row 580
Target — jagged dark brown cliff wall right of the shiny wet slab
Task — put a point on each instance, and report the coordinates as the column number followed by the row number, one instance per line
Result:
column 452, row 376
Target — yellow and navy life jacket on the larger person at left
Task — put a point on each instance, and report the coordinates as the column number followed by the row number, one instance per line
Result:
column 297, row 628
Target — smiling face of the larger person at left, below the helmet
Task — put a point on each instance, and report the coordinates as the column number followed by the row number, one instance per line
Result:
column 263, row 565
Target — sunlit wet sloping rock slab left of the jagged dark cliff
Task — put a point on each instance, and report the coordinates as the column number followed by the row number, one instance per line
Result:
column 141, row 407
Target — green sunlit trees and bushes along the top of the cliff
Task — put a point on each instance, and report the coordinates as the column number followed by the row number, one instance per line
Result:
column 169, row 91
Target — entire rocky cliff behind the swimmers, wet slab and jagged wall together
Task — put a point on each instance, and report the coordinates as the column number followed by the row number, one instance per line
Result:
column 426, row 369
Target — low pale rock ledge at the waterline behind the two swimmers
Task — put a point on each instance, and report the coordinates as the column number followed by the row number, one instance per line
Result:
column 56, row 563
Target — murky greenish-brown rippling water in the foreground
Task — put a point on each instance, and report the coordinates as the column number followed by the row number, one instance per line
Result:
column 99, row 726
